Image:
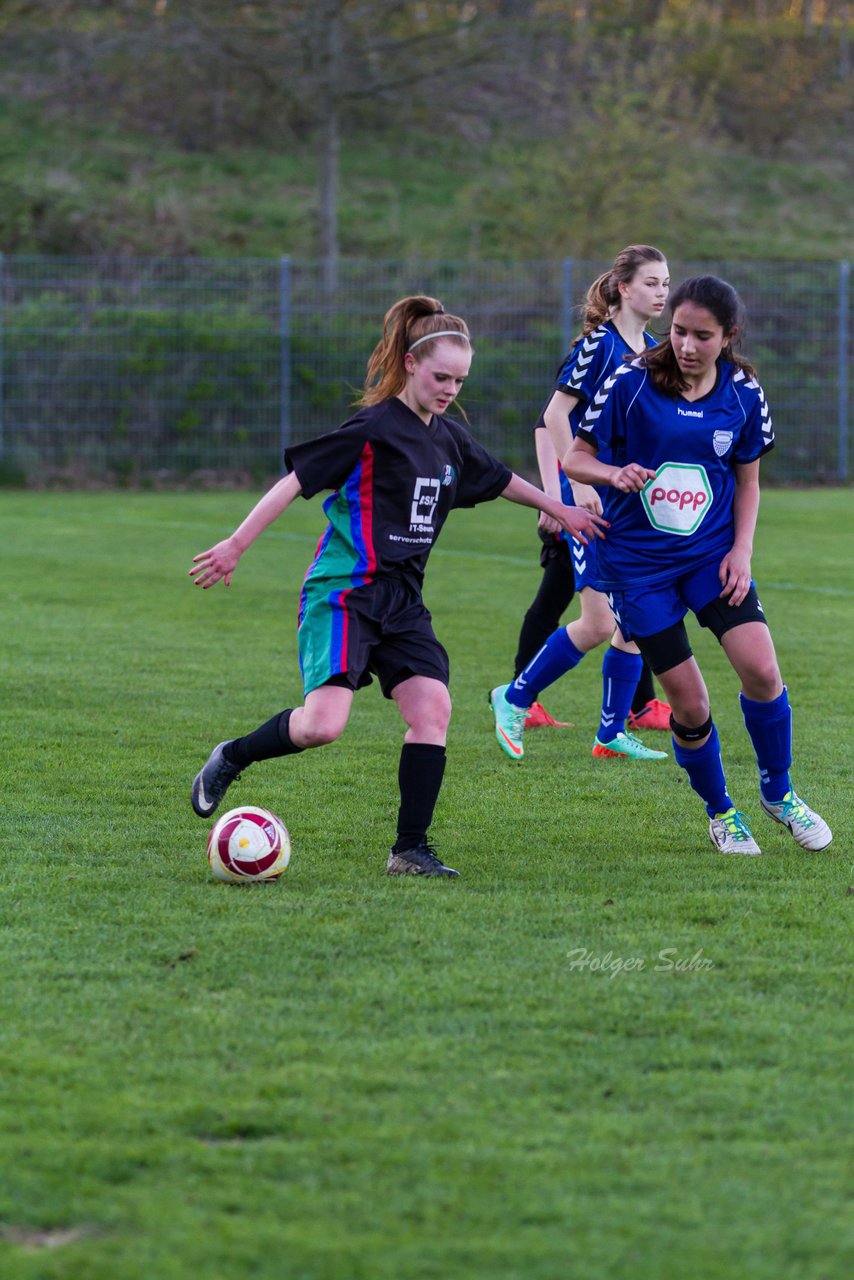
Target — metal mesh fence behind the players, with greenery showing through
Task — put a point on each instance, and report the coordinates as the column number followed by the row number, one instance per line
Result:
column 165, row 371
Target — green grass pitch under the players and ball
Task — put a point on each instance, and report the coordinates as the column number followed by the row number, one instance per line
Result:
column 345, row 1077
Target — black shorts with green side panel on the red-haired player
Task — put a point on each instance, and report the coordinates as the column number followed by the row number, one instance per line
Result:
column 382, row 629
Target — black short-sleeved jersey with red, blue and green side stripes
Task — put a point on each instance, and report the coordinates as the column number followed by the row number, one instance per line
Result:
column 395, row 481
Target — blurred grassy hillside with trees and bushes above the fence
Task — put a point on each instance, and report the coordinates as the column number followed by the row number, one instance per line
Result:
column 445, row 136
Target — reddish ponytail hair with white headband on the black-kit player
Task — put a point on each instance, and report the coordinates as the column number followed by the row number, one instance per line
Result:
column 408, row 322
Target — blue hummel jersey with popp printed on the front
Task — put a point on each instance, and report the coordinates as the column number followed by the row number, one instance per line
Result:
column 684, row 516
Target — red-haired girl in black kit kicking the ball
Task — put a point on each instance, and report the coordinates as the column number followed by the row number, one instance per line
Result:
column 396, row 470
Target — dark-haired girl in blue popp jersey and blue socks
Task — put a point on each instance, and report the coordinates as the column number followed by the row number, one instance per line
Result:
column 677, row 436
